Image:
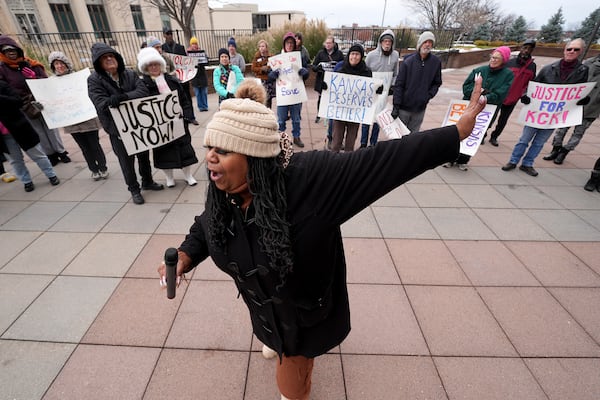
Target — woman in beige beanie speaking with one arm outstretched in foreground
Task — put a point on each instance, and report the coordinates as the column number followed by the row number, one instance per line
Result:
column 272, row 222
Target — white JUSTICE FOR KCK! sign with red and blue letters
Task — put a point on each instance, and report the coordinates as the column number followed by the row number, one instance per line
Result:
column 554, row 106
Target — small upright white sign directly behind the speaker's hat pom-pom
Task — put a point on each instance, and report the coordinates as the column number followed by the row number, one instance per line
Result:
column 289, row 86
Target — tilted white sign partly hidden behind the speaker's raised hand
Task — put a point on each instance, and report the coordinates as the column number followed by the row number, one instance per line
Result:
column 456, row 109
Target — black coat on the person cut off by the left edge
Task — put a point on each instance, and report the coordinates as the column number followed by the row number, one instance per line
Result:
column 14, row 120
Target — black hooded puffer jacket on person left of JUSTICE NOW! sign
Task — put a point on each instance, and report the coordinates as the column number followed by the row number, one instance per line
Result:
column 101, row 86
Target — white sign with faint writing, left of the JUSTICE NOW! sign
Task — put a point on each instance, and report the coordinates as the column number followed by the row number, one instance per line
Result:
column 65, row 98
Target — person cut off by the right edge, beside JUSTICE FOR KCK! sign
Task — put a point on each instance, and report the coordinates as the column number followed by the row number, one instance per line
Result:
column 591, row 111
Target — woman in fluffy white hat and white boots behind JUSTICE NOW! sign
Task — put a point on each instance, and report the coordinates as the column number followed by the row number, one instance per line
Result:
column 178, row 153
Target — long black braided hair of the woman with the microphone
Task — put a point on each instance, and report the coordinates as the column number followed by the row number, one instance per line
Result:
column 267, row 186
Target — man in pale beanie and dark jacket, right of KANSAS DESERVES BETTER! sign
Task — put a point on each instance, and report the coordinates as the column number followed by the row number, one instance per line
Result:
column 418, row 81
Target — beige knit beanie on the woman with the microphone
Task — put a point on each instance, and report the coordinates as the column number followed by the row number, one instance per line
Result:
column 244, row 126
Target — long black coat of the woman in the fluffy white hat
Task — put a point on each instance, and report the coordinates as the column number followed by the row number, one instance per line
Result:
column 178, row 153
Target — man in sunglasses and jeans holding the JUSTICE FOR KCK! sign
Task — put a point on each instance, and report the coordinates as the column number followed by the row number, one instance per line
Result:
column 564, row 71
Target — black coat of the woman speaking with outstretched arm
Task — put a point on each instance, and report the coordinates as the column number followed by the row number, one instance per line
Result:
column 311, row 314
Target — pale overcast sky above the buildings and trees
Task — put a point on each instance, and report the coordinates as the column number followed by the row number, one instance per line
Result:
column 371, row 12
